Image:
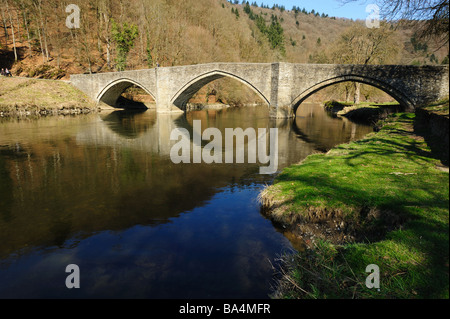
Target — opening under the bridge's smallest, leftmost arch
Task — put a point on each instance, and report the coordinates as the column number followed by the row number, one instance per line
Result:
column 127, row 94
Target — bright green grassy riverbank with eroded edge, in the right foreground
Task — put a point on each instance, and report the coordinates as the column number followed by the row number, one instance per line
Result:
column 382, row 200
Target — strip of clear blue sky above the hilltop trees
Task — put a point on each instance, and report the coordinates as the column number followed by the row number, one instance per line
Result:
column 334, row 8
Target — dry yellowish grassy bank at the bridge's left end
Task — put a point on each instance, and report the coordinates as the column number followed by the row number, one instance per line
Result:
column 24, row 96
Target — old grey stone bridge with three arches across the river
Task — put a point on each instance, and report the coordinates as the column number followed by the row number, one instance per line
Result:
column 283, row 86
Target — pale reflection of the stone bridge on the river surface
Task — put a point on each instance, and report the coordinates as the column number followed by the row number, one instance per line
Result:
column 150, row 131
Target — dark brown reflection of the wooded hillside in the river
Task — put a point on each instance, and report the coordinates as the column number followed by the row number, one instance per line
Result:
column 74, row 190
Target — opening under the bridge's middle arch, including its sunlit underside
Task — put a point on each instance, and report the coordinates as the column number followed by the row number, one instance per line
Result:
column 217, row 89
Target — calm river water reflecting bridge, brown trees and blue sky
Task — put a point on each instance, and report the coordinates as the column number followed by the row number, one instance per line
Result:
column 100, row 191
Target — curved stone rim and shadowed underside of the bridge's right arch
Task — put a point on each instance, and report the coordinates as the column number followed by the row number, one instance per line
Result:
column 402, row 98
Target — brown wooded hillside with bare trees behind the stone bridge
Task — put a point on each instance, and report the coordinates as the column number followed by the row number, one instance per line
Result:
column 121, row 35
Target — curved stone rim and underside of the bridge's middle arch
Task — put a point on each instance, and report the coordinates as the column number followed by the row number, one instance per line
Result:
column 183, row 95
